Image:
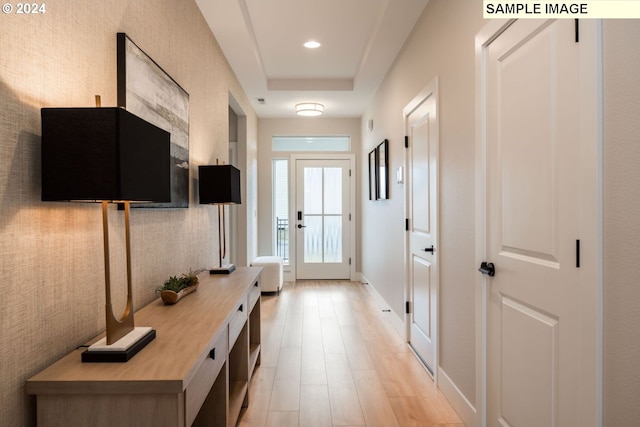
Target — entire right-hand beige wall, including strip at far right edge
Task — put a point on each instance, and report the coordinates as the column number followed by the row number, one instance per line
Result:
column 442, row 44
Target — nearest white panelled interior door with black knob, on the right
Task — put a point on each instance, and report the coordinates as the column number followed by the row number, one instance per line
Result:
column 537, row 325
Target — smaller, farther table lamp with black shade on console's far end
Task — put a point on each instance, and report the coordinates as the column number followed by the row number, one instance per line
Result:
column 220, row 185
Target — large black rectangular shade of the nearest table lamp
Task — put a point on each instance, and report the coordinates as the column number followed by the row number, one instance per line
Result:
column 91, row 154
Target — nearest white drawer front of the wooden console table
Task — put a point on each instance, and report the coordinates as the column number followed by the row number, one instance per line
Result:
column 205, row 376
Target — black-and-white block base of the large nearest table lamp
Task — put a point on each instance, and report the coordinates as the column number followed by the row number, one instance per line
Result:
column 122, row 350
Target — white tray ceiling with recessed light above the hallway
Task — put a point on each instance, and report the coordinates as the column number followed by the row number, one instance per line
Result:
column 262, row 40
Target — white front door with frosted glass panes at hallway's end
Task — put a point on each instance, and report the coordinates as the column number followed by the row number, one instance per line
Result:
column 322, row 219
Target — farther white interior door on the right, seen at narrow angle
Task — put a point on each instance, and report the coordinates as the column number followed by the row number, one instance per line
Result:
column 422, row 207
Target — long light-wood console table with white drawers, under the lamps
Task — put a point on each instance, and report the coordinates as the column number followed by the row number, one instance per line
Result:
column 196, row 372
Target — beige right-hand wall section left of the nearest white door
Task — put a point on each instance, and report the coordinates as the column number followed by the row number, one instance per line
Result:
column 441, row 45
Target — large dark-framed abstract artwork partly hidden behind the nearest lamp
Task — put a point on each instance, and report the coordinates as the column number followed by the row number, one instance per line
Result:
column 147, row 91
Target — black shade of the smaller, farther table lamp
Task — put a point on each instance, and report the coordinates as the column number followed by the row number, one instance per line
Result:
column 219, row 184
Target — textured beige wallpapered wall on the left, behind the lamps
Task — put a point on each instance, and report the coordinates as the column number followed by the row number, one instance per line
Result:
column 51, row 266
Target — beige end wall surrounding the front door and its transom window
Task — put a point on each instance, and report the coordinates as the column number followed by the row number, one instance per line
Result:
column 267, row 129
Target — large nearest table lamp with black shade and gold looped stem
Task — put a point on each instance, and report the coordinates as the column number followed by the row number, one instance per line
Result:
column 106, row 155
